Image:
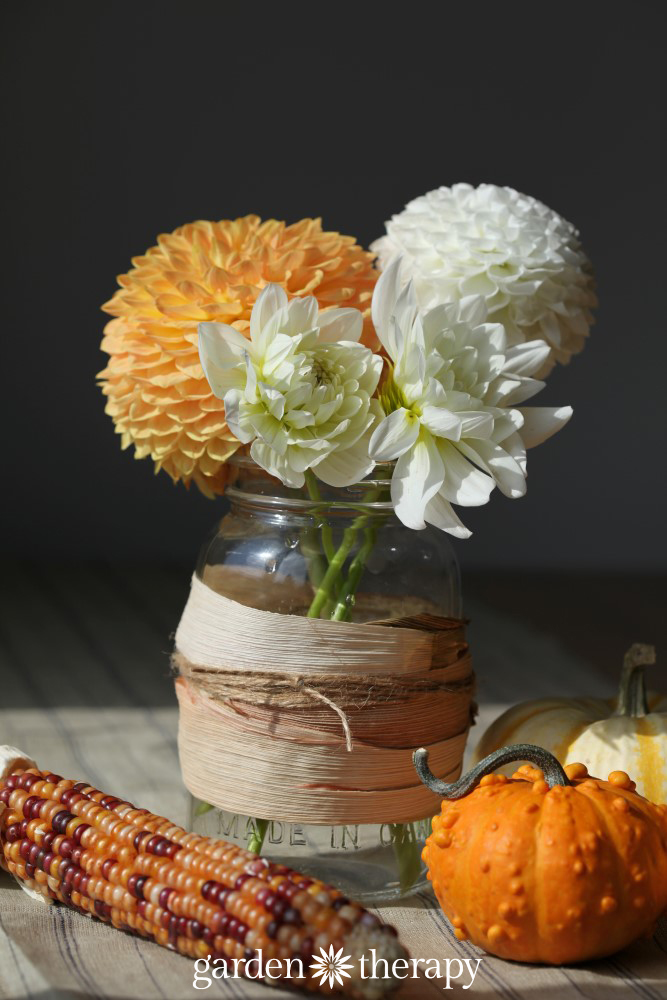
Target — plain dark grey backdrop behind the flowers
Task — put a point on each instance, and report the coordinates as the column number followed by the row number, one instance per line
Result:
column 125, row 120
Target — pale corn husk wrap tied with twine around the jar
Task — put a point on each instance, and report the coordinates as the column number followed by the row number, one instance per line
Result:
column 304, row 719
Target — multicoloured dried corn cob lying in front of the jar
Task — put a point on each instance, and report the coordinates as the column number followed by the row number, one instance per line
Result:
column 201, row 897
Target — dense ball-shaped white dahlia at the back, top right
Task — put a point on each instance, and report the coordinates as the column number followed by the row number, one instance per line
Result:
column 525, row 259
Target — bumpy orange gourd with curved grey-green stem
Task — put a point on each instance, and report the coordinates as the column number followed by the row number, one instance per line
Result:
column 550, row 866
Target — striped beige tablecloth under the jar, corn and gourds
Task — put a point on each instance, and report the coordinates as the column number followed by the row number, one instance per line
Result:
column 98, row 670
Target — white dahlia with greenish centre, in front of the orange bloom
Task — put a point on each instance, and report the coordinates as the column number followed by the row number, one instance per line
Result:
column 300, row 389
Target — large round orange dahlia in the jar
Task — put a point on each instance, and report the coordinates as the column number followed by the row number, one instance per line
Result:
column 156, row 391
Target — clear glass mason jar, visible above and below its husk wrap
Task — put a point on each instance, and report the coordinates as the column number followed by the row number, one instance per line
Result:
column 272, row 551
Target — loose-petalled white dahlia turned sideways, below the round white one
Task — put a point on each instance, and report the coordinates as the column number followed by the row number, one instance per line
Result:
column 452, row 422
